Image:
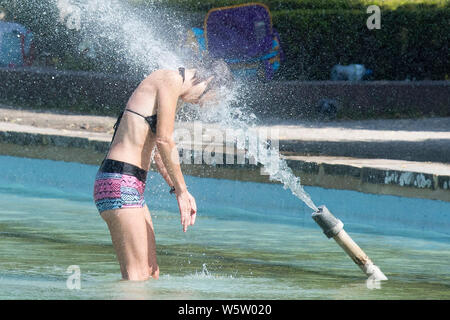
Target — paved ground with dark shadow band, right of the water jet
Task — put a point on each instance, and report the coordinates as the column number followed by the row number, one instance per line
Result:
column 426, row 140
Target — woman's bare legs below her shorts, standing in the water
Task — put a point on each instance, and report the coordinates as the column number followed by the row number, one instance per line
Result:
column 132, row 243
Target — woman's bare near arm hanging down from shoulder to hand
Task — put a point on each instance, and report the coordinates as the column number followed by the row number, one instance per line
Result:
column 168, row 92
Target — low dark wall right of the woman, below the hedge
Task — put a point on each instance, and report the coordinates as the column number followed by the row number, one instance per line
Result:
column 295, row 99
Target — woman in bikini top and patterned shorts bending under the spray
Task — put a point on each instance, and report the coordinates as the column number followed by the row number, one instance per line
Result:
column 147, row 125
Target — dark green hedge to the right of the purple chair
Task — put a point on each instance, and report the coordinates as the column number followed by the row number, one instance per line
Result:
column 410, row 44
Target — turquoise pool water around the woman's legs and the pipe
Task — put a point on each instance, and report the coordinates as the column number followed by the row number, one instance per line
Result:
column 250, row 241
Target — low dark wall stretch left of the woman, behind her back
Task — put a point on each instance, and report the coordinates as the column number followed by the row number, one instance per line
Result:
column 66, row 90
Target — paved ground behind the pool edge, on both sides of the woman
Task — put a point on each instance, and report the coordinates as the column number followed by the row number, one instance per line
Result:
column 405, row 145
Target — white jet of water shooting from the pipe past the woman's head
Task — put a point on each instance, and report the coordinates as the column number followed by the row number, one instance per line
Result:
column 147, row 43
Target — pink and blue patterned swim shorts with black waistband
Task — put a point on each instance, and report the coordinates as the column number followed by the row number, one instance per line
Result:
column 119, row 185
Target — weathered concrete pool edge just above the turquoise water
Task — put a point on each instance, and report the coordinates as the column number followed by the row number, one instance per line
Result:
column 374, row 176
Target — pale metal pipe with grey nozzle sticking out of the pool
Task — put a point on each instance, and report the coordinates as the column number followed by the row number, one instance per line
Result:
column 334, row 228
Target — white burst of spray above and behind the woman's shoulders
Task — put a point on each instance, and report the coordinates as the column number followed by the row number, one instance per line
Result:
column 137, row 38
